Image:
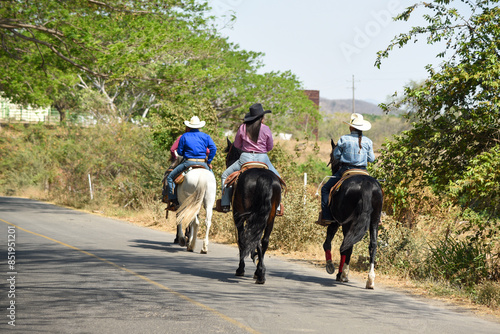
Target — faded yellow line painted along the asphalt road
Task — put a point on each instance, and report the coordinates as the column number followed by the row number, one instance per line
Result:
column 161, row 286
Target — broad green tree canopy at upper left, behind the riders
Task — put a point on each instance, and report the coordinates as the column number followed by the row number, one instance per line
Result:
column 129, row 59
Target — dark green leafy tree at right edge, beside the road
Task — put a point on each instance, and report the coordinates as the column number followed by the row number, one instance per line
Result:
column 456, row 111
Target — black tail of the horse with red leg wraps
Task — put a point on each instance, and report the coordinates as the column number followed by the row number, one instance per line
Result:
column 360, row 217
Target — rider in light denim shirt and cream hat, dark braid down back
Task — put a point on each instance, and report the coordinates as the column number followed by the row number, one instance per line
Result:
column 354, row 151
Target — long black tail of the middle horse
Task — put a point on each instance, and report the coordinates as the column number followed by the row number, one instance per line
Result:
column 258, row 214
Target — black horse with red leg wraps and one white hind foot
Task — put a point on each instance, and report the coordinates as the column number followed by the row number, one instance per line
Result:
column 356, row 206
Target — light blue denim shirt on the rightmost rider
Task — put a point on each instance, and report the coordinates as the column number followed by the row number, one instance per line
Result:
column 348, row 151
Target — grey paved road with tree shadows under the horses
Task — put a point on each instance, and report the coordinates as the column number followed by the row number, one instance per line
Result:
column 80, row 273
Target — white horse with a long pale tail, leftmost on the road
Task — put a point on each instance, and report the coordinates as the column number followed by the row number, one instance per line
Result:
column 199, row 187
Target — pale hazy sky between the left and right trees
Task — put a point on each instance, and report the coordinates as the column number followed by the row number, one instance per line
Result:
column 326, row 42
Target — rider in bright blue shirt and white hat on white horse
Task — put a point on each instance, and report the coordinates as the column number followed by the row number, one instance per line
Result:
column 193, row 147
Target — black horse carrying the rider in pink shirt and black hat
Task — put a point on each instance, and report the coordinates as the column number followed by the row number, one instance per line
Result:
column 256, row 197
